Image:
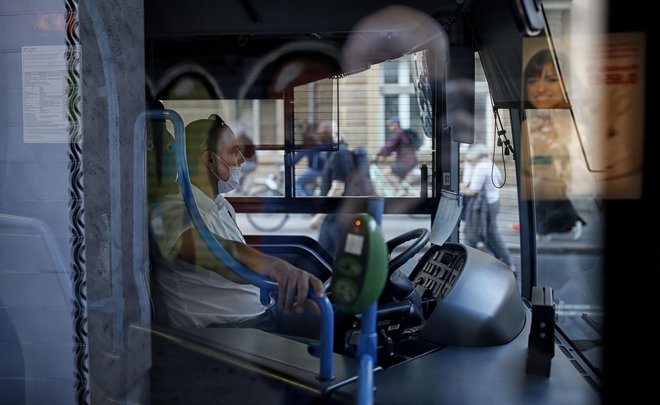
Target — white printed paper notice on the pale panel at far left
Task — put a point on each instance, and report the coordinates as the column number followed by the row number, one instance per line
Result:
column 44, row 94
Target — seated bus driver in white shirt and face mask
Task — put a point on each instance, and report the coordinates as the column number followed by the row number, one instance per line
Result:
column 195, row 289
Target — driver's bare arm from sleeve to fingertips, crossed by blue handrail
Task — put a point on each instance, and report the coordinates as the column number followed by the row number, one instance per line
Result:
column 293, row 282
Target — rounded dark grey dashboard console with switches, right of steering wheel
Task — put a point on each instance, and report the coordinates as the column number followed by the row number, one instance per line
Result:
column 471, row 298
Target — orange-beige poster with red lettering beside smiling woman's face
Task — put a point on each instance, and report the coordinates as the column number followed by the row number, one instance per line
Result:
column 601, row 118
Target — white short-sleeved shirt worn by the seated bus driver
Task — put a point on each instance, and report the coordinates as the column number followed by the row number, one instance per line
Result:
column 195, row 296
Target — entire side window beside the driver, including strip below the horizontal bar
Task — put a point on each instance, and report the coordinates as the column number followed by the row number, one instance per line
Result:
column 352, row 111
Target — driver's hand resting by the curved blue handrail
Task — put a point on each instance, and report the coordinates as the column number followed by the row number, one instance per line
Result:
column 293, row 287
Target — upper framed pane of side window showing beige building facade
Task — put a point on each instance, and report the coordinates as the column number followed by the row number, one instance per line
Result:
column 359, row 106
